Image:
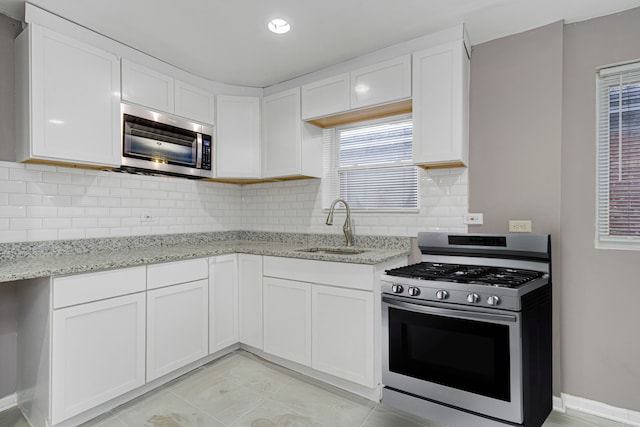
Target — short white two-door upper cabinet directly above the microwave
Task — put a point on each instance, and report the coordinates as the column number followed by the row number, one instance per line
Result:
column 150, row 88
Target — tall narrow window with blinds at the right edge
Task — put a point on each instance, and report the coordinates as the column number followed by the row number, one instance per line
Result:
column 618, row 173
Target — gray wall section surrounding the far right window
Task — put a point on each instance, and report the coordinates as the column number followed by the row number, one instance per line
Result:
column 600, row 288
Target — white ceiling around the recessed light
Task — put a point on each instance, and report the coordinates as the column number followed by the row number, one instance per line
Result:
column 228, row 41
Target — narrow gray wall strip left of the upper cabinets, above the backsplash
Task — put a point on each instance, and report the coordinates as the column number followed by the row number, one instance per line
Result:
column 9, row 29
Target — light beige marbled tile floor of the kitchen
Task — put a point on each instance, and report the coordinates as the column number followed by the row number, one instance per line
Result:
column 241, row 390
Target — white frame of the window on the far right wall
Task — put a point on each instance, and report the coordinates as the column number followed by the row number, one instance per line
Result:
column 603, row 238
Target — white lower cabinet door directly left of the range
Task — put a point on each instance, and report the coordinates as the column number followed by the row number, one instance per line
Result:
column 343, row 333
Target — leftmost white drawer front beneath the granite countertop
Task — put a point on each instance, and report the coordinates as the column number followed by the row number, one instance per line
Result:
column 83, row 288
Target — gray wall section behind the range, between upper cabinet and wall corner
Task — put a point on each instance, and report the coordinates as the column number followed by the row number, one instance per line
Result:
column 515, row 134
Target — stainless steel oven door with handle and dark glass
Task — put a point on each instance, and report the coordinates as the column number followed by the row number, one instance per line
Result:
column 462, row 357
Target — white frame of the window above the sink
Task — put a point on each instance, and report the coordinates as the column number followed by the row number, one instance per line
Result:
column 331, row 178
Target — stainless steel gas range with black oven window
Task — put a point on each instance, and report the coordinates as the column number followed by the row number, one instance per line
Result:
column 467, row 331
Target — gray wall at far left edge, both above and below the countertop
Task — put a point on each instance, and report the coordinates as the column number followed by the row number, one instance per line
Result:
column 9, row 29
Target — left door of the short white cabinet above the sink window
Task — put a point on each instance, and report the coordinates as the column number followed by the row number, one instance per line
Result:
column 326, row 97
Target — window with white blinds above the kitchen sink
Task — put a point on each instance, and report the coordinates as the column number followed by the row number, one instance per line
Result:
column 370, row 165
